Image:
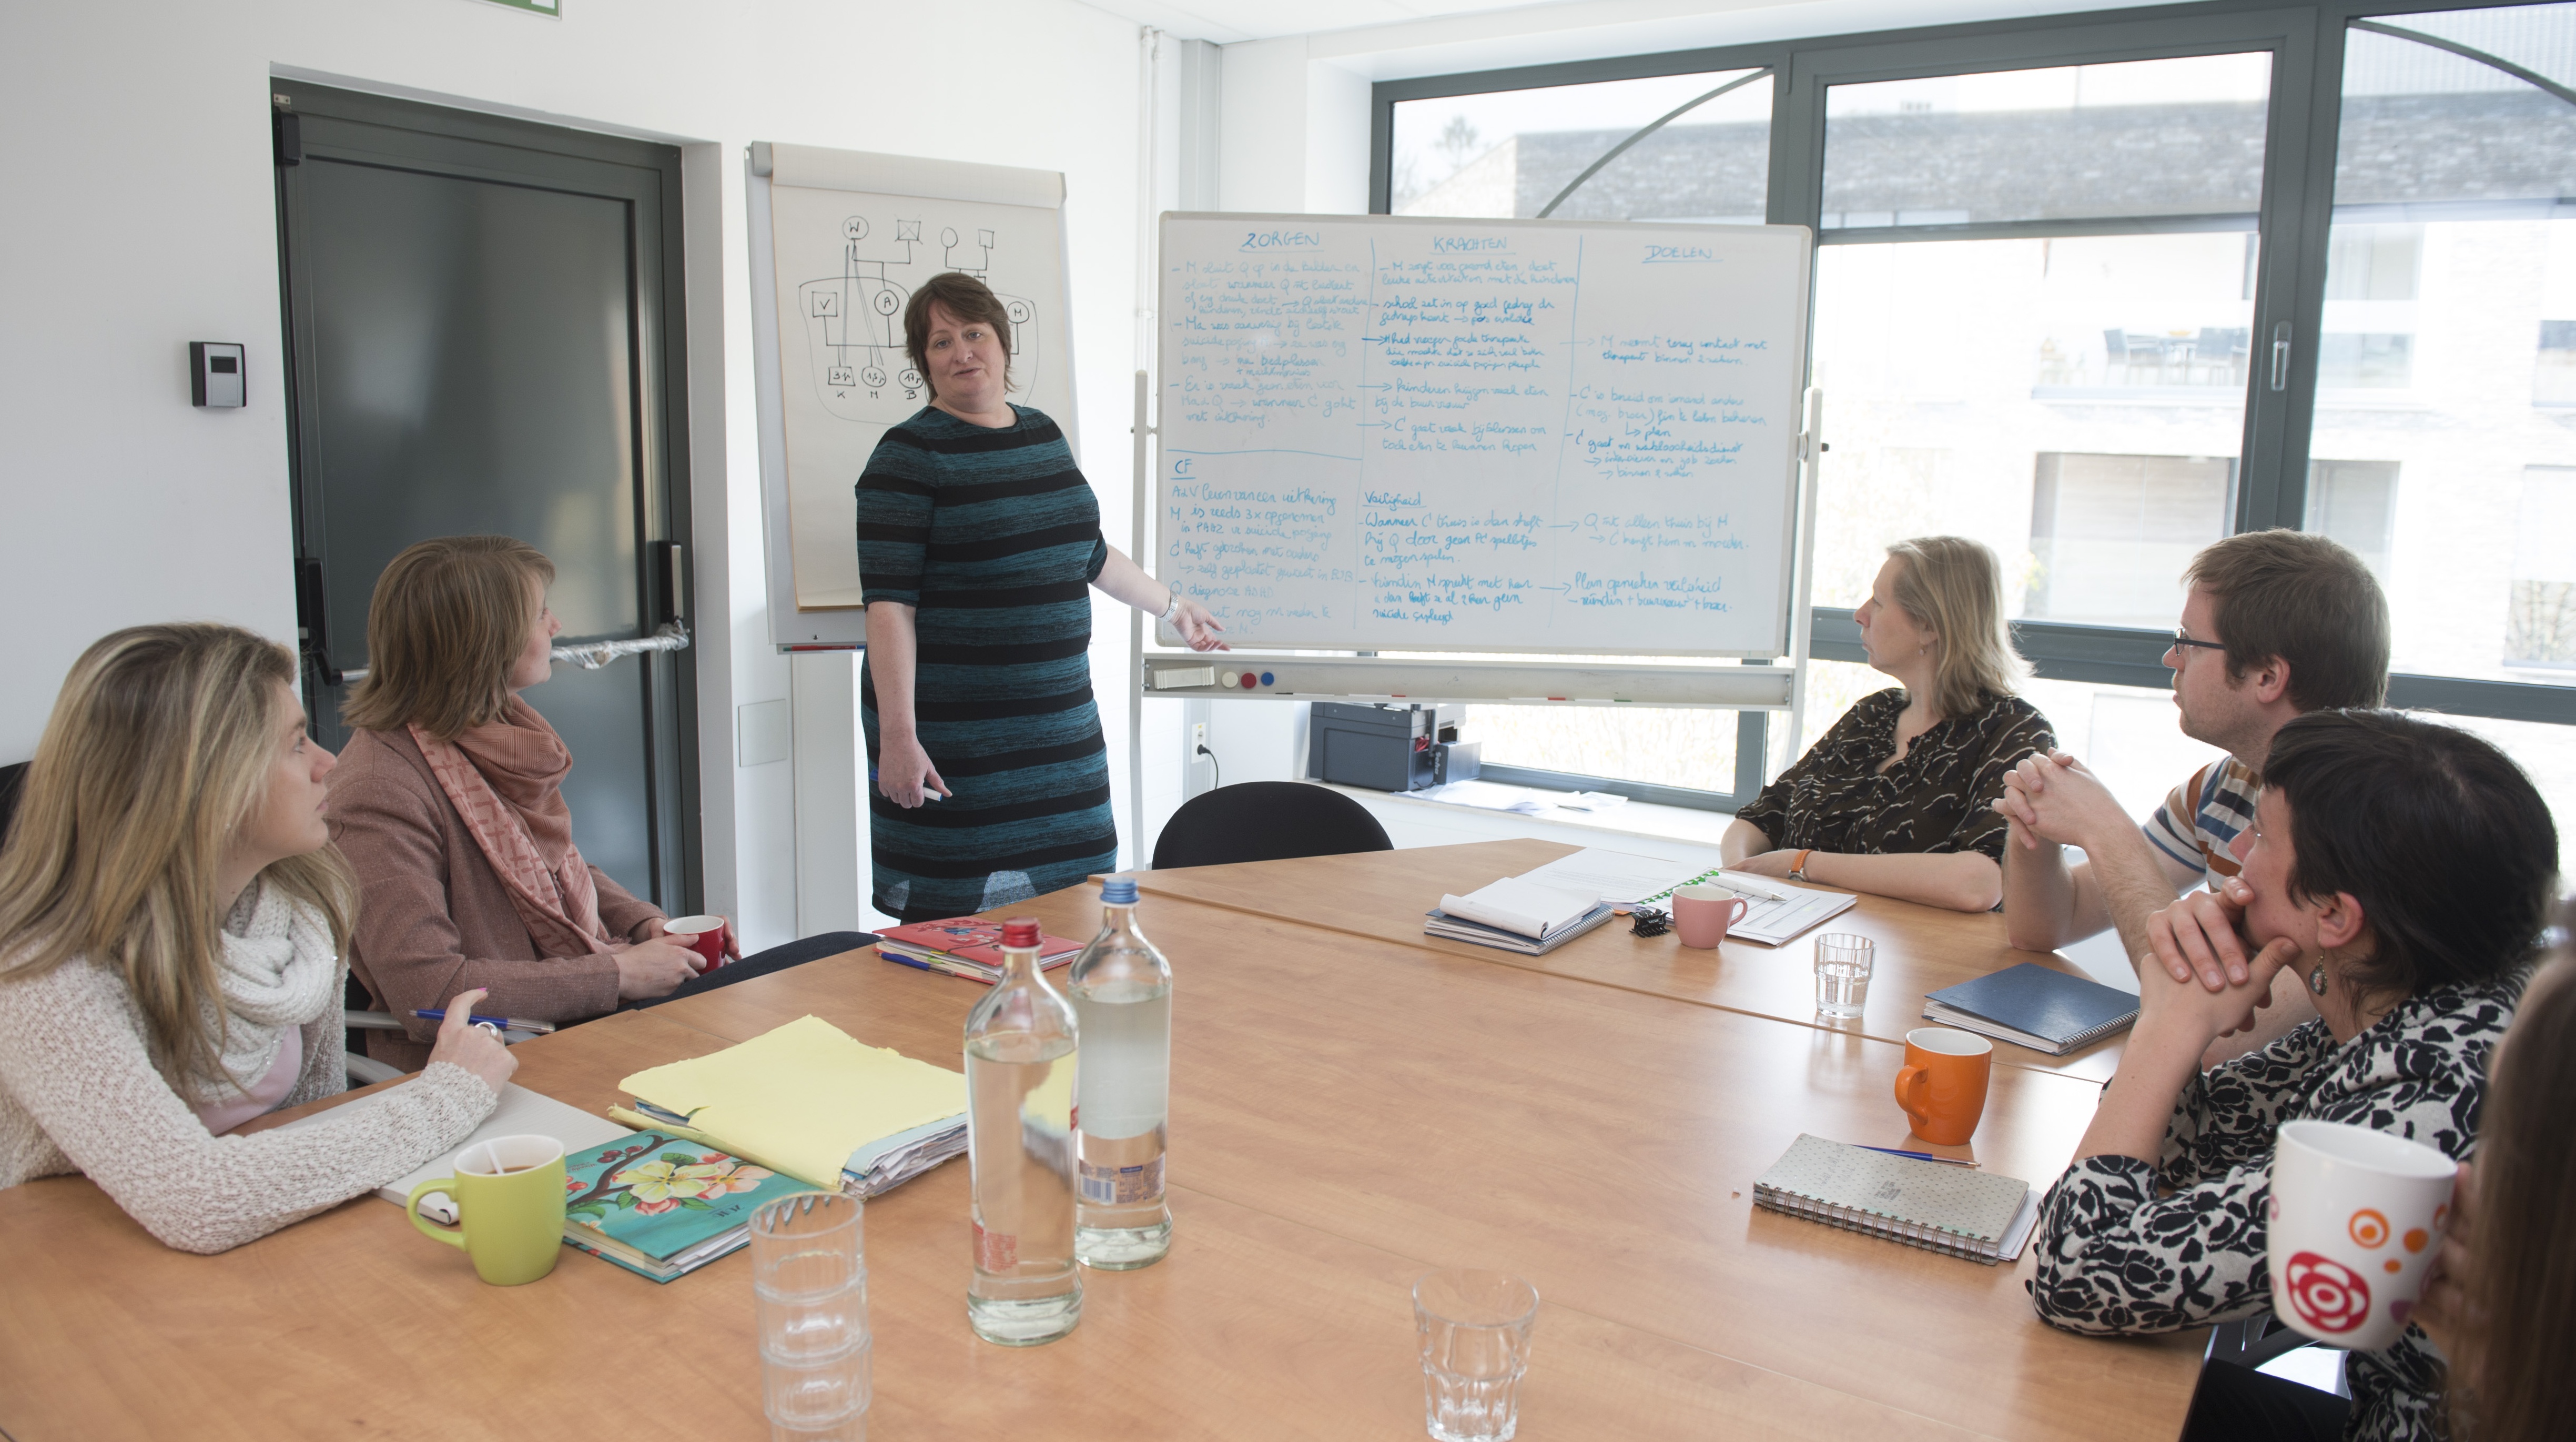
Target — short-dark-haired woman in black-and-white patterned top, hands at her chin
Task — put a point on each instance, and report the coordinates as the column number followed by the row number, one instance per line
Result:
column 2405, row 872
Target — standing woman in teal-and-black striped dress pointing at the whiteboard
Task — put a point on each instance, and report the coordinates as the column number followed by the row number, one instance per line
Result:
column 978, row 547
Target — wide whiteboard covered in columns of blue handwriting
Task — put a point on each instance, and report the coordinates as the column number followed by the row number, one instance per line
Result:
column 1482, row 436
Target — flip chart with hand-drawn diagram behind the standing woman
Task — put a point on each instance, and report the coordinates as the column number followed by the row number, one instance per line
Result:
column 838, row 246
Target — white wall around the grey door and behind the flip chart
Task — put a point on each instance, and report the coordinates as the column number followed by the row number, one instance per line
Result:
column 143, row 215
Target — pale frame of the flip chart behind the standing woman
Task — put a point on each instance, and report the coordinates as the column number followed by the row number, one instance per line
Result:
column 846, row 627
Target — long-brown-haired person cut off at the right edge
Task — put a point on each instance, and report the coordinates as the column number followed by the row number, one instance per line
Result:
column 2503, row 1294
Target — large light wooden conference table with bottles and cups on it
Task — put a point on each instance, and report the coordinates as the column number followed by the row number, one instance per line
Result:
column 1346, row 1114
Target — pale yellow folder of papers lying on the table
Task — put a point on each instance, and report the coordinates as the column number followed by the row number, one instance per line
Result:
column 813, row 1103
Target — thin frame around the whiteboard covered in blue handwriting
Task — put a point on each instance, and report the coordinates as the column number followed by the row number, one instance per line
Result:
column 1794, row 483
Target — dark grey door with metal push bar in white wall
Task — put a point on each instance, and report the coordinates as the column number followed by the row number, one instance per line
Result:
column 483, row 339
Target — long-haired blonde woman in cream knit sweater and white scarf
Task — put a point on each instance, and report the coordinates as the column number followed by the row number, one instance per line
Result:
column 176, row 926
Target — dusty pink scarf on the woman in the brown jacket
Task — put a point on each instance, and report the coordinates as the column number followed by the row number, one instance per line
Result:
column 506, row 782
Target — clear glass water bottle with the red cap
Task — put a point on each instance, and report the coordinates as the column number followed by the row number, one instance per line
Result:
column 1021, row 1145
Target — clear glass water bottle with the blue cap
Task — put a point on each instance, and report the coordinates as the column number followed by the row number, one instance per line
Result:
column 1124, row 1003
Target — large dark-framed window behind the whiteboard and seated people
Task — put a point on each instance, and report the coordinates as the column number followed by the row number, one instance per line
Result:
column 2080, row 297
